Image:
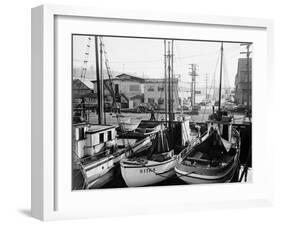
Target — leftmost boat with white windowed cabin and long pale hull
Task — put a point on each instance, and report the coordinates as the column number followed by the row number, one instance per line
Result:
column 98, row 151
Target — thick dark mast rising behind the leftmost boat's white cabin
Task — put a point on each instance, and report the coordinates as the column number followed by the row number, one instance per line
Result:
column 99, row 84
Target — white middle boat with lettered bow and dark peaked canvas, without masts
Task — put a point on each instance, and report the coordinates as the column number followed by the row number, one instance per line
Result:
column 156, row 165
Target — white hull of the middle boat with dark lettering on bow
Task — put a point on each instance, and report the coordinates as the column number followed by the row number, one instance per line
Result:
column 152, row 172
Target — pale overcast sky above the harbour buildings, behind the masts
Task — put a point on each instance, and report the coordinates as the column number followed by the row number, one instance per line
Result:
column 144, row 58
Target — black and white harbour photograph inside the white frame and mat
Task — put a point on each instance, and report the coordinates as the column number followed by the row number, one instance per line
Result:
column 152, row 111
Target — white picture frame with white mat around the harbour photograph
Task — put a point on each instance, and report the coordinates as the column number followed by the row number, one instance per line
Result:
column 50, row 195
